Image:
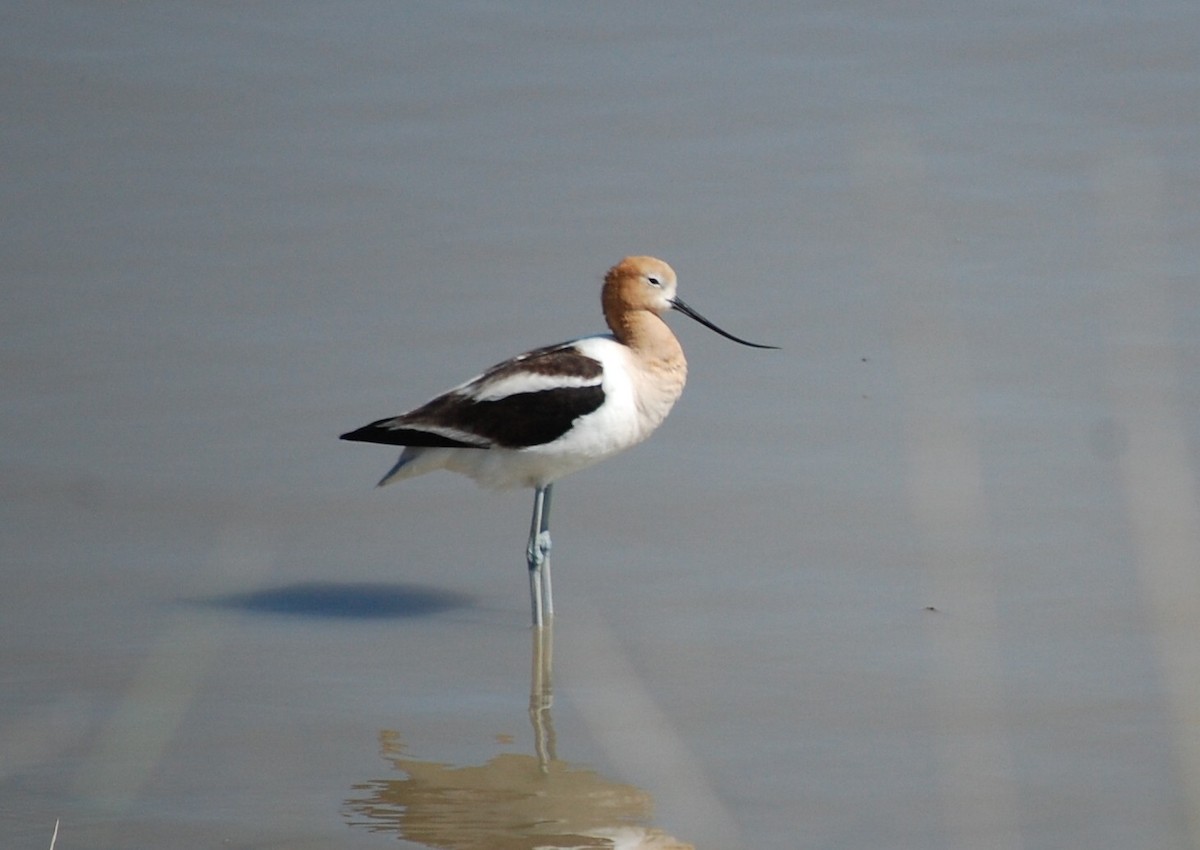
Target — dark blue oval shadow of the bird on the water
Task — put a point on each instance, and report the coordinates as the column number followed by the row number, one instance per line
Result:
column 345, row 601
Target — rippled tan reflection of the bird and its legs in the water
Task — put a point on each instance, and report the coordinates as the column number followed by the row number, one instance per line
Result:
column 513, row 801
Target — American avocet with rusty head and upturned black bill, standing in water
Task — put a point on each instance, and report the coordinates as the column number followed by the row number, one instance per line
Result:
column 529, row 422
